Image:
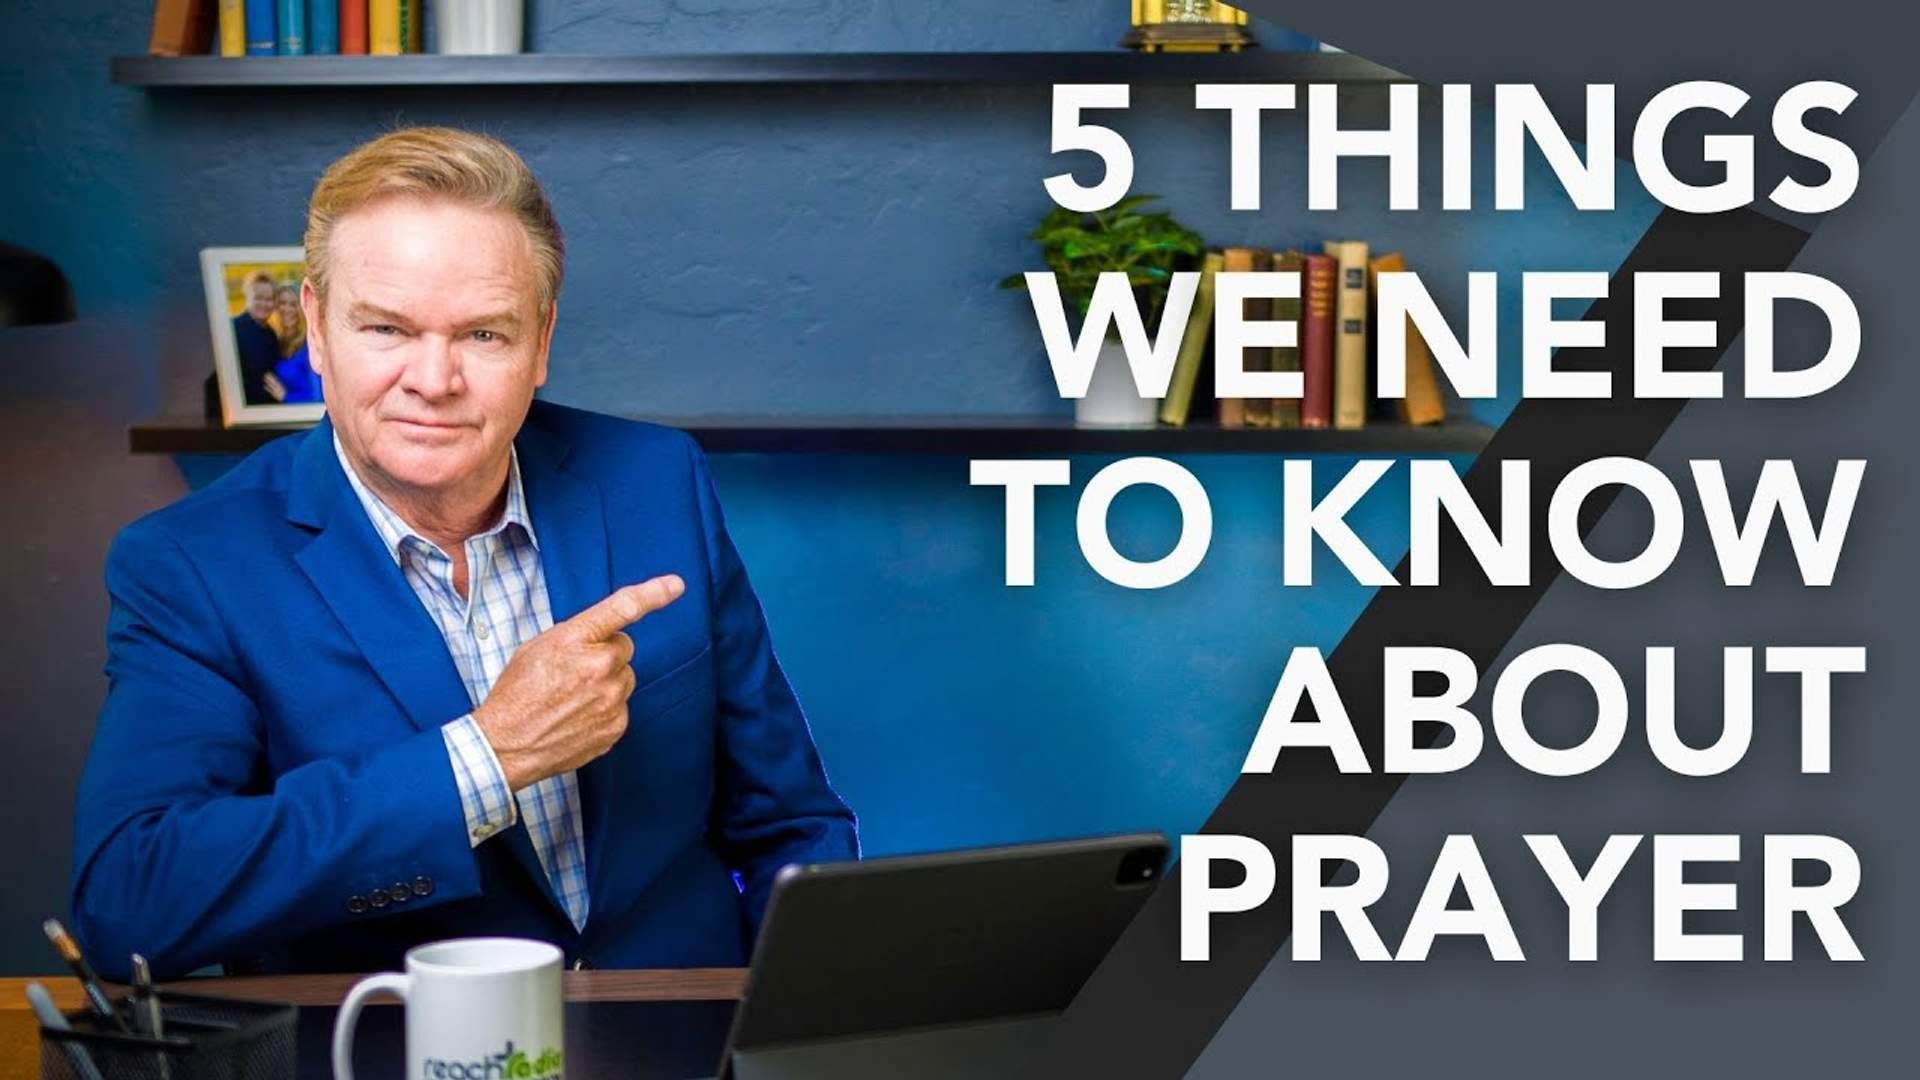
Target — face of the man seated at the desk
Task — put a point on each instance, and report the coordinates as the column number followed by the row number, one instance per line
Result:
column 431, row 345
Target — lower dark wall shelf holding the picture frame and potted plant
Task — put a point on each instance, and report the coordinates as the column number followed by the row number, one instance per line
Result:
column 928, row 435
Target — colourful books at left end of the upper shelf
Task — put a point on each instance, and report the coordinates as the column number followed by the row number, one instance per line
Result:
column 287, row 28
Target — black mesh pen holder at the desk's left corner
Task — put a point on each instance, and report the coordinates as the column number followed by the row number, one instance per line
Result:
column 208, row 1039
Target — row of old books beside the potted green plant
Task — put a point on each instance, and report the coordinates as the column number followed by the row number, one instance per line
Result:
column 1332, row 349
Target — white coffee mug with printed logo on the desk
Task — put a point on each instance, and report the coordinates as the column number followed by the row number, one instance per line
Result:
column 475, row 1008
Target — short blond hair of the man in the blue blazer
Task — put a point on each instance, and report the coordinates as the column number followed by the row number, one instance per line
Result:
column 437, row 162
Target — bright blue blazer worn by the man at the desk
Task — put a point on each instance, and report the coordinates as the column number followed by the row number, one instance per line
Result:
column 268, row 785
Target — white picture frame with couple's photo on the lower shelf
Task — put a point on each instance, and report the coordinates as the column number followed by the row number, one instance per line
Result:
column 260, row 353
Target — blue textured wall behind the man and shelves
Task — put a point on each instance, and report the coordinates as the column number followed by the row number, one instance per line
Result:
column 738, row 251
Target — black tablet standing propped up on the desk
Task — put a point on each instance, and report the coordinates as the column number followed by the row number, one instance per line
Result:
column 957, row 943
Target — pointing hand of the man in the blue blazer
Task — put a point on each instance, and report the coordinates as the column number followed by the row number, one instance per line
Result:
column 562, row 700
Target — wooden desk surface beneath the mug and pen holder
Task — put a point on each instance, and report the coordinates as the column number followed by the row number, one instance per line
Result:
column 619, row 1023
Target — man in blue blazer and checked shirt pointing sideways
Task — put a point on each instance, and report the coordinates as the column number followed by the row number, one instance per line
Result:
column 389, row 683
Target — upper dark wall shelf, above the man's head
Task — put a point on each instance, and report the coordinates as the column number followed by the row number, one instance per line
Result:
column 765, row 68
